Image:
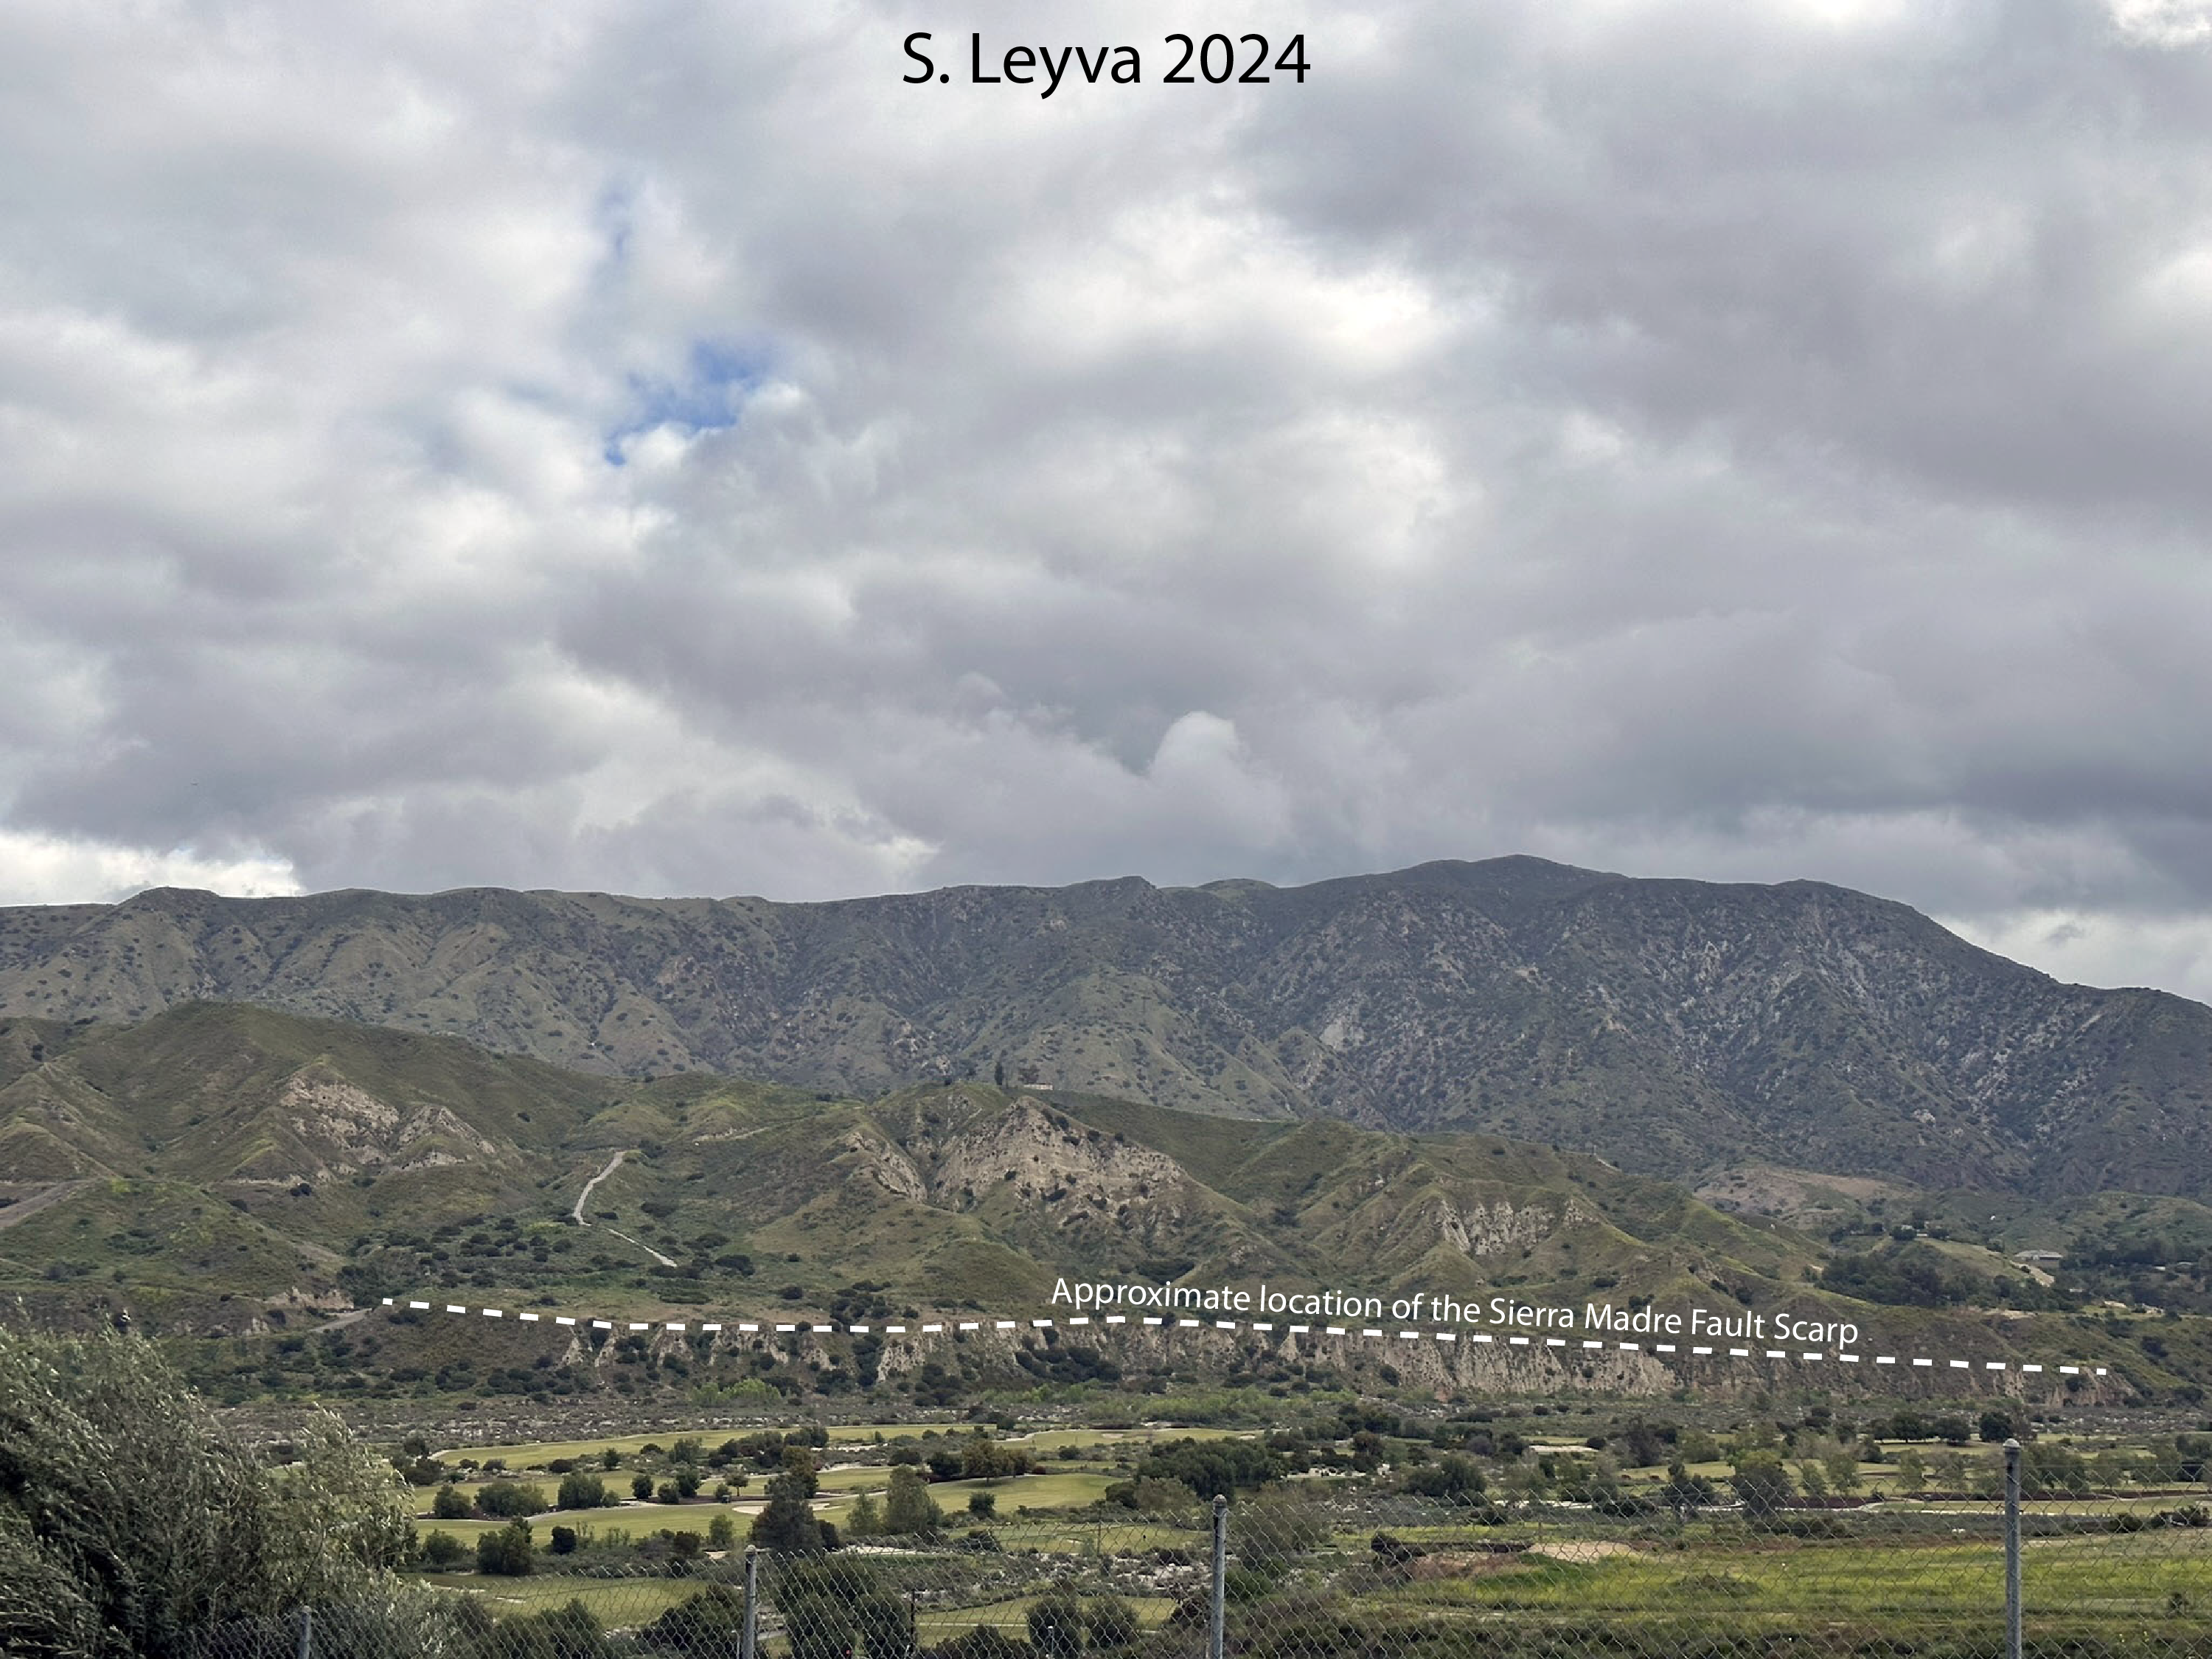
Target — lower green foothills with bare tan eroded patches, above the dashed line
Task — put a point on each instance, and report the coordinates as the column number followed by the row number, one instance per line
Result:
column 371, row 1162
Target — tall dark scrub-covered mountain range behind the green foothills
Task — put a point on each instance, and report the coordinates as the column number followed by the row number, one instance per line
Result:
column 1671, row 1027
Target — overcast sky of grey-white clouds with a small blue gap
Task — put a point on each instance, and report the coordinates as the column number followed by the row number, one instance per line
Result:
column 651, row 448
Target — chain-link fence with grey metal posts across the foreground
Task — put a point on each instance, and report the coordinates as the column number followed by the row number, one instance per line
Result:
column 2018, row 1561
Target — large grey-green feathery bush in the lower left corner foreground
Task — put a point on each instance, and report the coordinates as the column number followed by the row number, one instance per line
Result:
column 129, row 1514
